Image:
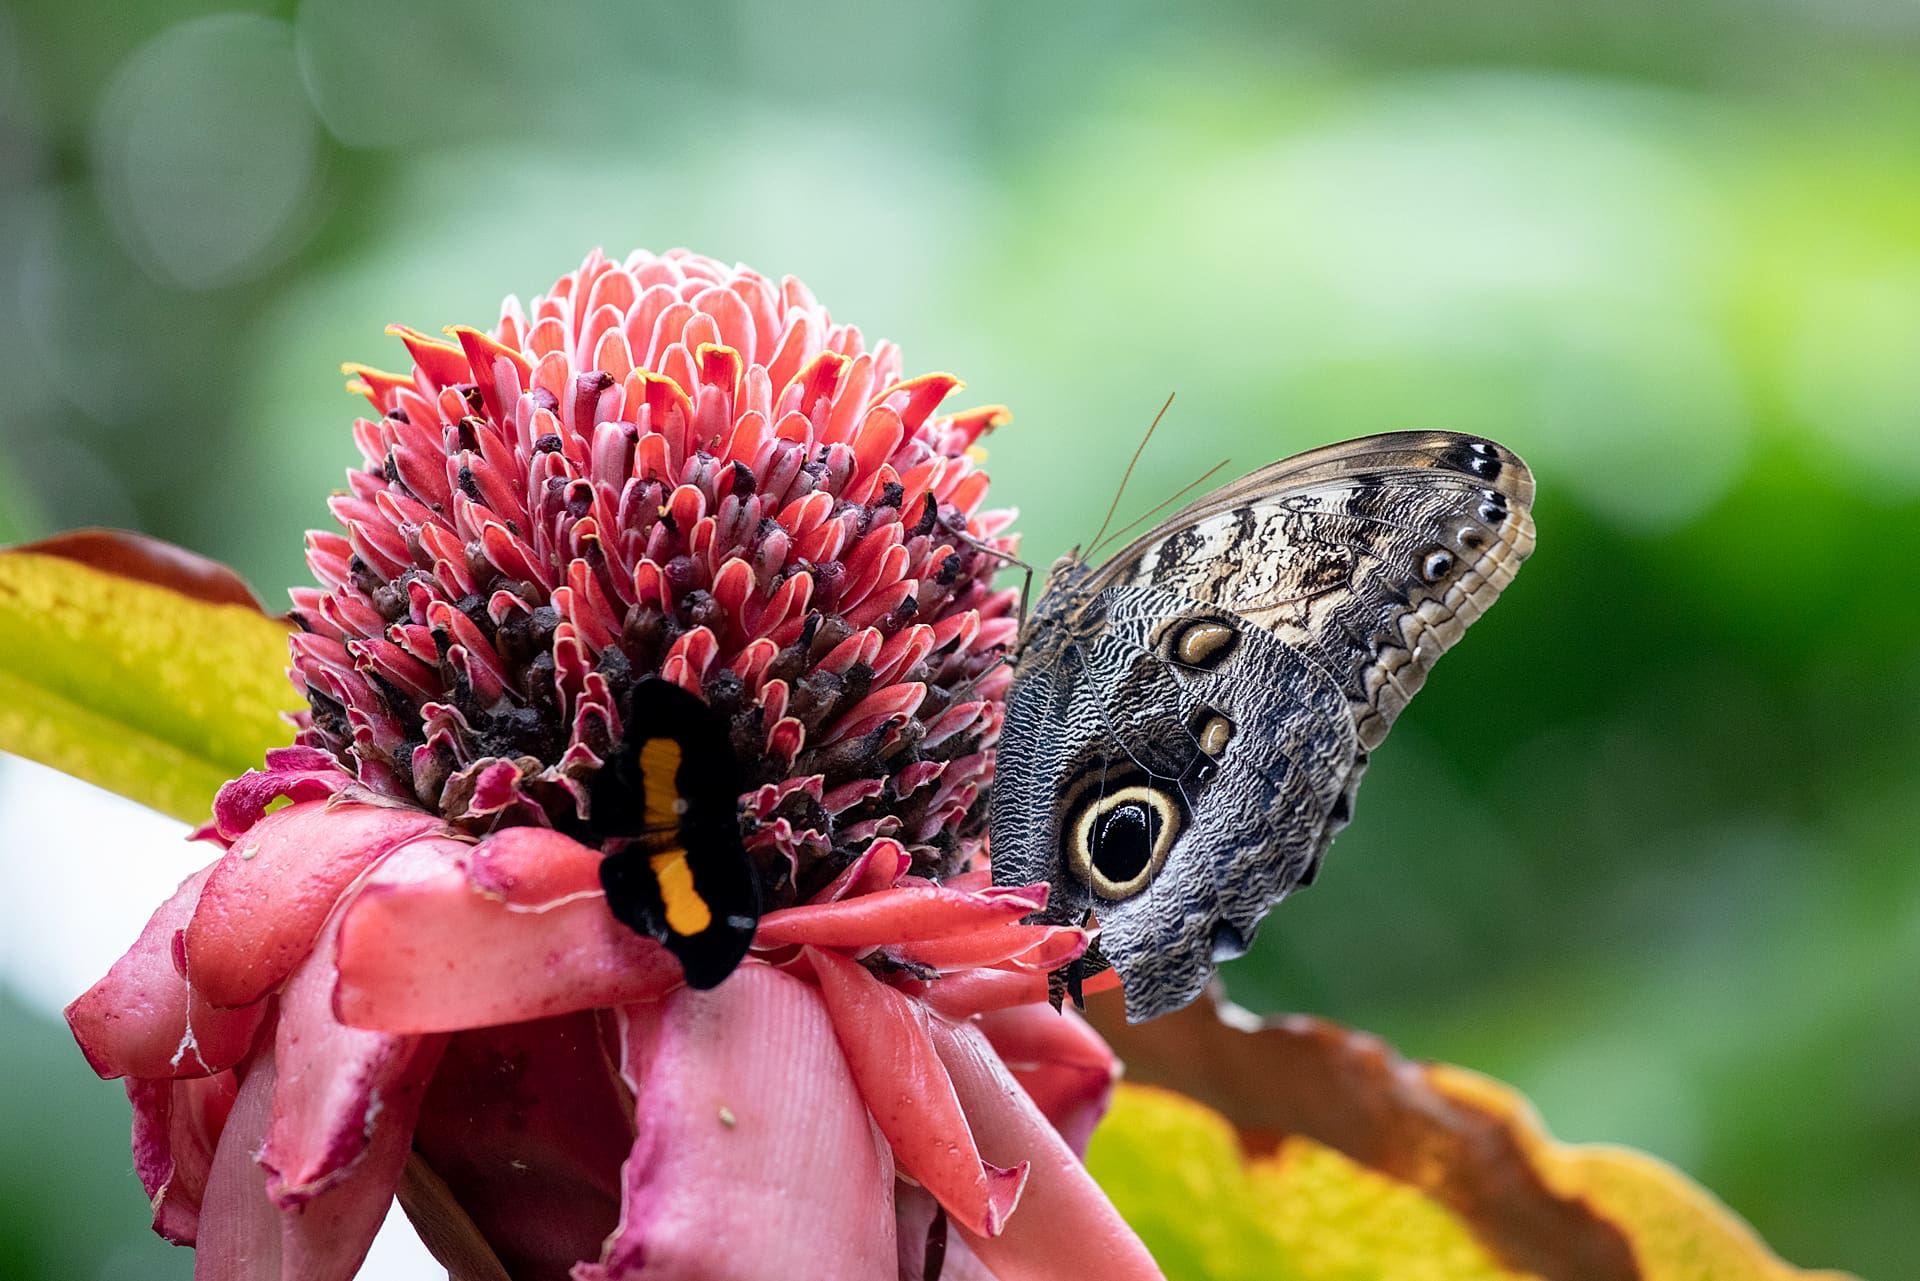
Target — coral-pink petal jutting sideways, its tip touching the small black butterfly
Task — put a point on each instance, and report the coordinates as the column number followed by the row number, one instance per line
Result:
column 423, row 950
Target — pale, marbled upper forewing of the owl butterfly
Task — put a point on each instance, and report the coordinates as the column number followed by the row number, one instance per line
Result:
column 1372, row 556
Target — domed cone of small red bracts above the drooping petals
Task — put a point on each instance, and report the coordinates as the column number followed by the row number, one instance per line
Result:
column 675, row 470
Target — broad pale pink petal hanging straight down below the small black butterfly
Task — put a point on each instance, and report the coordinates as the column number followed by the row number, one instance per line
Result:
column 738, row 1090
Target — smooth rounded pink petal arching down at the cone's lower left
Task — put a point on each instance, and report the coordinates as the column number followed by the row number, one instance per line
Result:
column 266, row 900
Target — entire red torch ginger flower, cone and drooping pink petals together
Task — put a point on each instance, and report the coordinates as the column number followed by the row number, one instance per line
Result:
column 623, row 906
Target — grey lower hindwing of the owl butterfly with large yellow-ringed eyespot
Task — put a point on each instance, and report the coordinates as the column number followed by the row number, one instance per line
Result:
column 1176, row 800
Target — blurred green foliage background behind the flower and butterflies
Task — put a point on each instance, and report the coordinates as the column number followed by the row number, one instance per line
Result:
column 1648, row 844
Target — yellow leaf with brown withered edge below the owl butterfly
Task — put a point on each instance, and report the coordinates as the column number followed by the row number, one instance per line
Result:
column 1316, row 1153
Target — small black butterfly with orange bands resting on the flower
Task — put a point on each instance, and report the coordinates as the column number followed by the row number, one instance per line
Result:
column 667, row 811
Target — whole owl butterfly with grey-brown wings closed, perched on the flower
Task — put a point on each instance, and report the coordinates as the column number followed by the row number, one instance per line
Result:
column 1189, row 721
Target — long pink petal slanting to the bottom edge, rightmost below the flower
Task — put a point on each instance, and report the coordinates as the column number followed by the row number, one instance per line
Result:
column 1061, row 1203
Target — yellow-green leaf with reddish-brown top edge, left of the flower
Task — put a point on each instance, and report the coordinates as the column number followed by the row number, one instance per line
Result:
column 139, row 667
